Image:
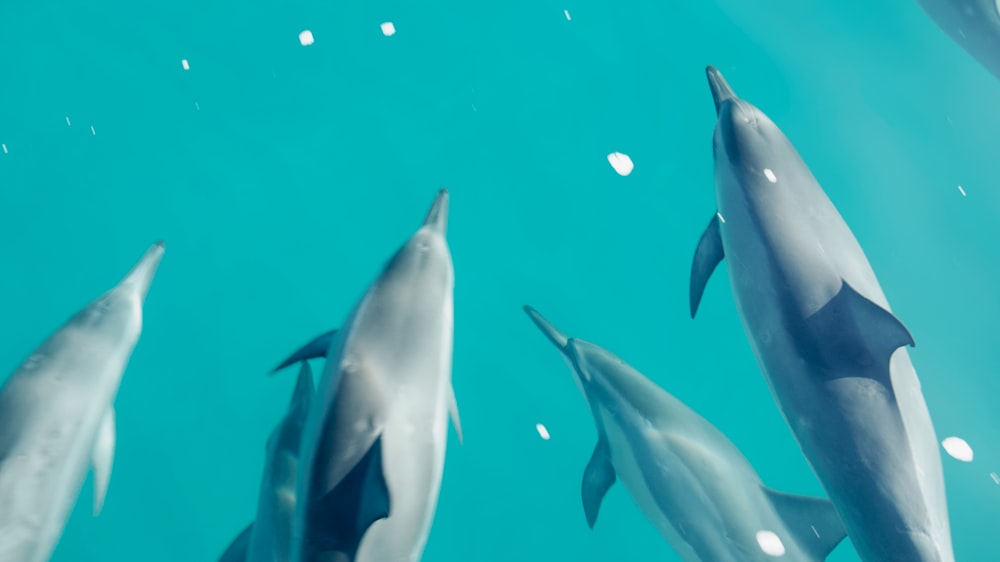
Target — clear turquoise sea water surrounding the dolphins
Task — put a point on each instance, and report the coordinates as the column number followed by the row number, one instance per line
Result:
column 281, row 177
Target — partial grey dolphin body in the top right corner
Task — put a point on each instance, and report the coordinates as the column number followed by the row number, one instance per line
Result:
column 973, row 24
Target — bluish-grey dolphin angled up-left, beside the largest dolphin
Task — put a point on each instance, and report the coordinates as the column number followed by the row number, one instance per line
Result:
column 689, row 480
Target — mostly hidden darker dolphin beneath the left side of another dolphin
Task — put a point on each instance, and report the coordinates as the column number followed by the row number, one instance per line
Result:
column 269, row 537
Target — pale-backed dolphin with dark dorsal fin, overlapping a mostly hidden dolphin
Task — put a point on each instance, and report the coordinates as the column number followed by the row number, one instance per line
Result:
column 373, row 447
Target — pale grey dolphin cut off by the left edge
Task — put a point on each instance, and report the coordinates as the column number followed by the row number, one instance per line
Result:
column 57, row 417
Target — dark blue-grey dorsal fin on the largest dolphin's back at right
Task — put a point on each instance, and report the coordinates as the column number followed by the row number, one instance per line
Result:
column 857, row 334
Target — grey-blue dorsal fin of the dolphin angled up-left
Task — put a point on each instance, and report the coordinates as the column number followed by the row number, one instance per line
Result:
column 814, row 521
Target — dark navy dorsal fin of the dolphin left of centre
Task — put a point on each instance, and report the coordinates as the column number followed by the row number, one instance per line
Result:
column 347, row 511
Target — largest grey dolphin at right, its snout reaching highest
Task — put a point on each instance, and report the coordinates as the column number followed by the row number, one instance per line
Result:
column 830, row 348
